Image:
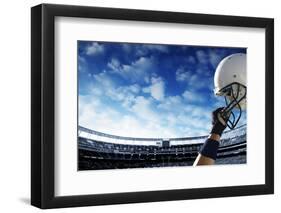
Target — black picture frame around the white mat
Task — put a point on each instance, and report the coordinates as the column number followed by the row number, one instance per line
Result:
column 43, row 102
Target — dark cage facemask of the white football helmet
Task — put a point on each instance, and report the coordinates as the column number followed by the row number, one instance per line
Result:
column 235, row 100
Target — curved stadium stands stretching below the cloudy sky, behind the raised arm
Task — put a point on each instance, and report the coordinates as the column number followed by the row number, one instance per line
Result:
column 97, row 150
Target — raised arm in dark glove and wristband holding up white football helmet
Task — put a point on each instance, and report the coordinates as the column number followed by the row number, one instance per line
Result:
column 230, row 82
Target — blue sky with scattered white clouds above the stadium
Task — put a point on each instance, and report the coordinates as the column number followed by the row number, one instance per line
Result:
column 148, row 90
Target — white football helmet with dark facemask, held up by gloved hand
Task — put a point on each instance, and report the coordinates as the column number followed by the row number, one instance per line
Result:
column 230, row 81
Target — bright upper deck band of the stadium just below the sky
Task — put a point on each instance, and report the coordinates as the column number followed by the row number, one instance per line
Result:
column 108, row 138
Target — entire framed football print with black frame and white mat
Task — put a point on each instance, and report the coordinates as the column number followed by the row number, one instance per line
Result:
column 139, row 106
